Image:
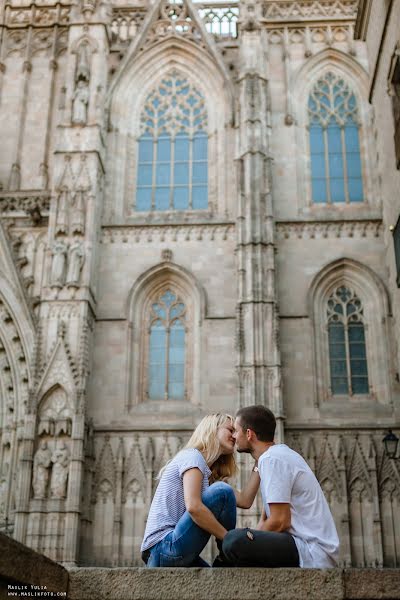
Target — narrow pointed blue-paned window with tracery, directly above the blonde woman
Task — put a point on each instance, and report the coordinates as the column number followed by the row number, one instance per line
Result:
column 167, row 332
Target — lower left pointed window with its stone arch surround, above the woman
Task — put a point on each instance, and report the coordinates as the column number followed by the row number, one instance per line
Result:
column 154, row 297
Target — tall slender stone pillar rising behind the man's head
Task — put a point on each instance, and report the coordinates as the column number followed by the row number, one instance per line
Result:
column 259, row 366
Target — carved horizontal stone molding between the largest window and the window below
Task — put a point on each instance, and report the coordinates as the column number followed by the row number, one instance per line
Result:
column 167, row 233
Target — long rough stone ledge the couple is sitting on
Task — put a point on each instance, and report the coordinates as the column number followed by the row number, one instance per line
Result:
column 233, row 584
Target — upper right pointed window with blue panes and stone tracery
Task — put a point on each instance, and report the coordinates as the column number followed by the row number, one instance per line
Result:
column 334, row 142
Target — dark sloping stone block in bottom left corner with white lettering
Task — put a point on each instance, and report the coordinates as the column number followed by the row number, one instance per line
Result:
column 22, row 565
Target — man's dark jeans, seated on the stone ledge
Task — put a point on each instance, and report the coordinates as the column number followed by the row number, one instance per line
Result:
column 254, row 548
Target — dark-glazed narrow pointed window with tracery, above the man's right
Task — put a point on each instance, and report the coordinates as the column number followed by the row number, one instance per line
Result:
column 347, row 352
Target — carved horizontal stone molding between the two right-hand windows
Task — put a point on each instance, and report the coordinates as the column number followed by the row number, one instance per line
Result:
column 329, row 229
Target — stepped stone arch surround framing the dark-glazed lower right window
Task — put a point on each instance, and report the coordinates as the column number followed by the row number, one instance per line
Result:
column 373, row 306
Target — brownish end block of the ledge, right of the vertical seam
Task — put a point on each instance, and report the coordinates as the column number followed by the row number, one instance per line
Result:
column 371, row 584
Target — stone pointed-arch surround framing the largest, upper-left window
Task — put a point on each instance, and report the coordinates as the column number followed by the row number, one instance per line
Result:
column 126, row 102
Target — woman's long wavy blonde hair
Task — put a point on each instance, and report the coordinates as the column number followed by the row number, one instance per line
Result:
column 204, row 438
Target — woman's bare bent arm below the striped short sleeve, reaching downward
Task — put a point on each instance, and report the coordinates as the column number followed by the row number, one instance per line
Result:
column 201, row 515
